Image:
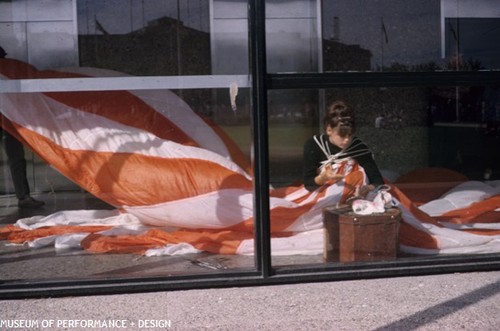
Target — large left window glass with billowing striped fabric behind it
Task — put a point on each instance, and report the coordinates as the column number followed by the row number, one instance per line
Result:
column 134, row 139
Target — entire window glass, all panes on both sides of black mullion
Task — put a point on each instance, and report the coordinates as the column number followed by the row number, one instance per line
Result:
column 137, row 124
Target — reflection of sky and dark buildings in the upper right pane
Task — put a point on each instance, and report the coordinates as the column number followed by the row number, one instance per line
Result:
column 396, row 36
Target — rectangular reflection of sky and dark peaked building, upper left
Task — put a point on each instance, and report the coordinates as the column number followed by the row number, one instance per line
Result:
column 145, row 38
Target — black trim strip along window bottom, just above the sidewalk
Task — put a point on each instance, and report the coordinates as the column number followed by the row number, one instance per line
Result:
column 284, row 275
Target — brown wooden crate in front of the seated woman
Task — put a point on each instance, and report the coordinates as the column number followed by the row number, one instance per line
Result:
column 350, row 237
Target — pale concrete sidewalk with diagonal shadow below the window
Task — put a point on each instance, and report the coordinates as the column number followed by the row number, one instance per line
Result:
column 465, row 301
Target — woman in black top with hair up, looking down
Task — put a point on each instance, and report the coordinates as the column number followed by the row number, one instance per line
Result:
column 324, row 154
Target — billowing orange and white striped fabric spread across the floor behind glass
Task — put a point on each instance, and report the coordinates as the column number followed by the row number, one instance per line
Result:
column 177, row 182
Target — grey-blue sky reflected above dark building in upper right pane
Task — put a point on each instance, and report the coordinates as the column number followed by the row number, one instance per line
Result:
column 412, row 31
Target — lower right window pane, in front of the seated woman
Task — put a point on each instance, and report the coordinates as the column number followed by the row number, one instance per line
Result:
column 437, row 167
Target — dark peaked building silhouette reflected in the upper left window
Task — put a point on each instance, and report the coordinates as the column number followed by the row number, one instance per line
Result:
column 164, row 47
